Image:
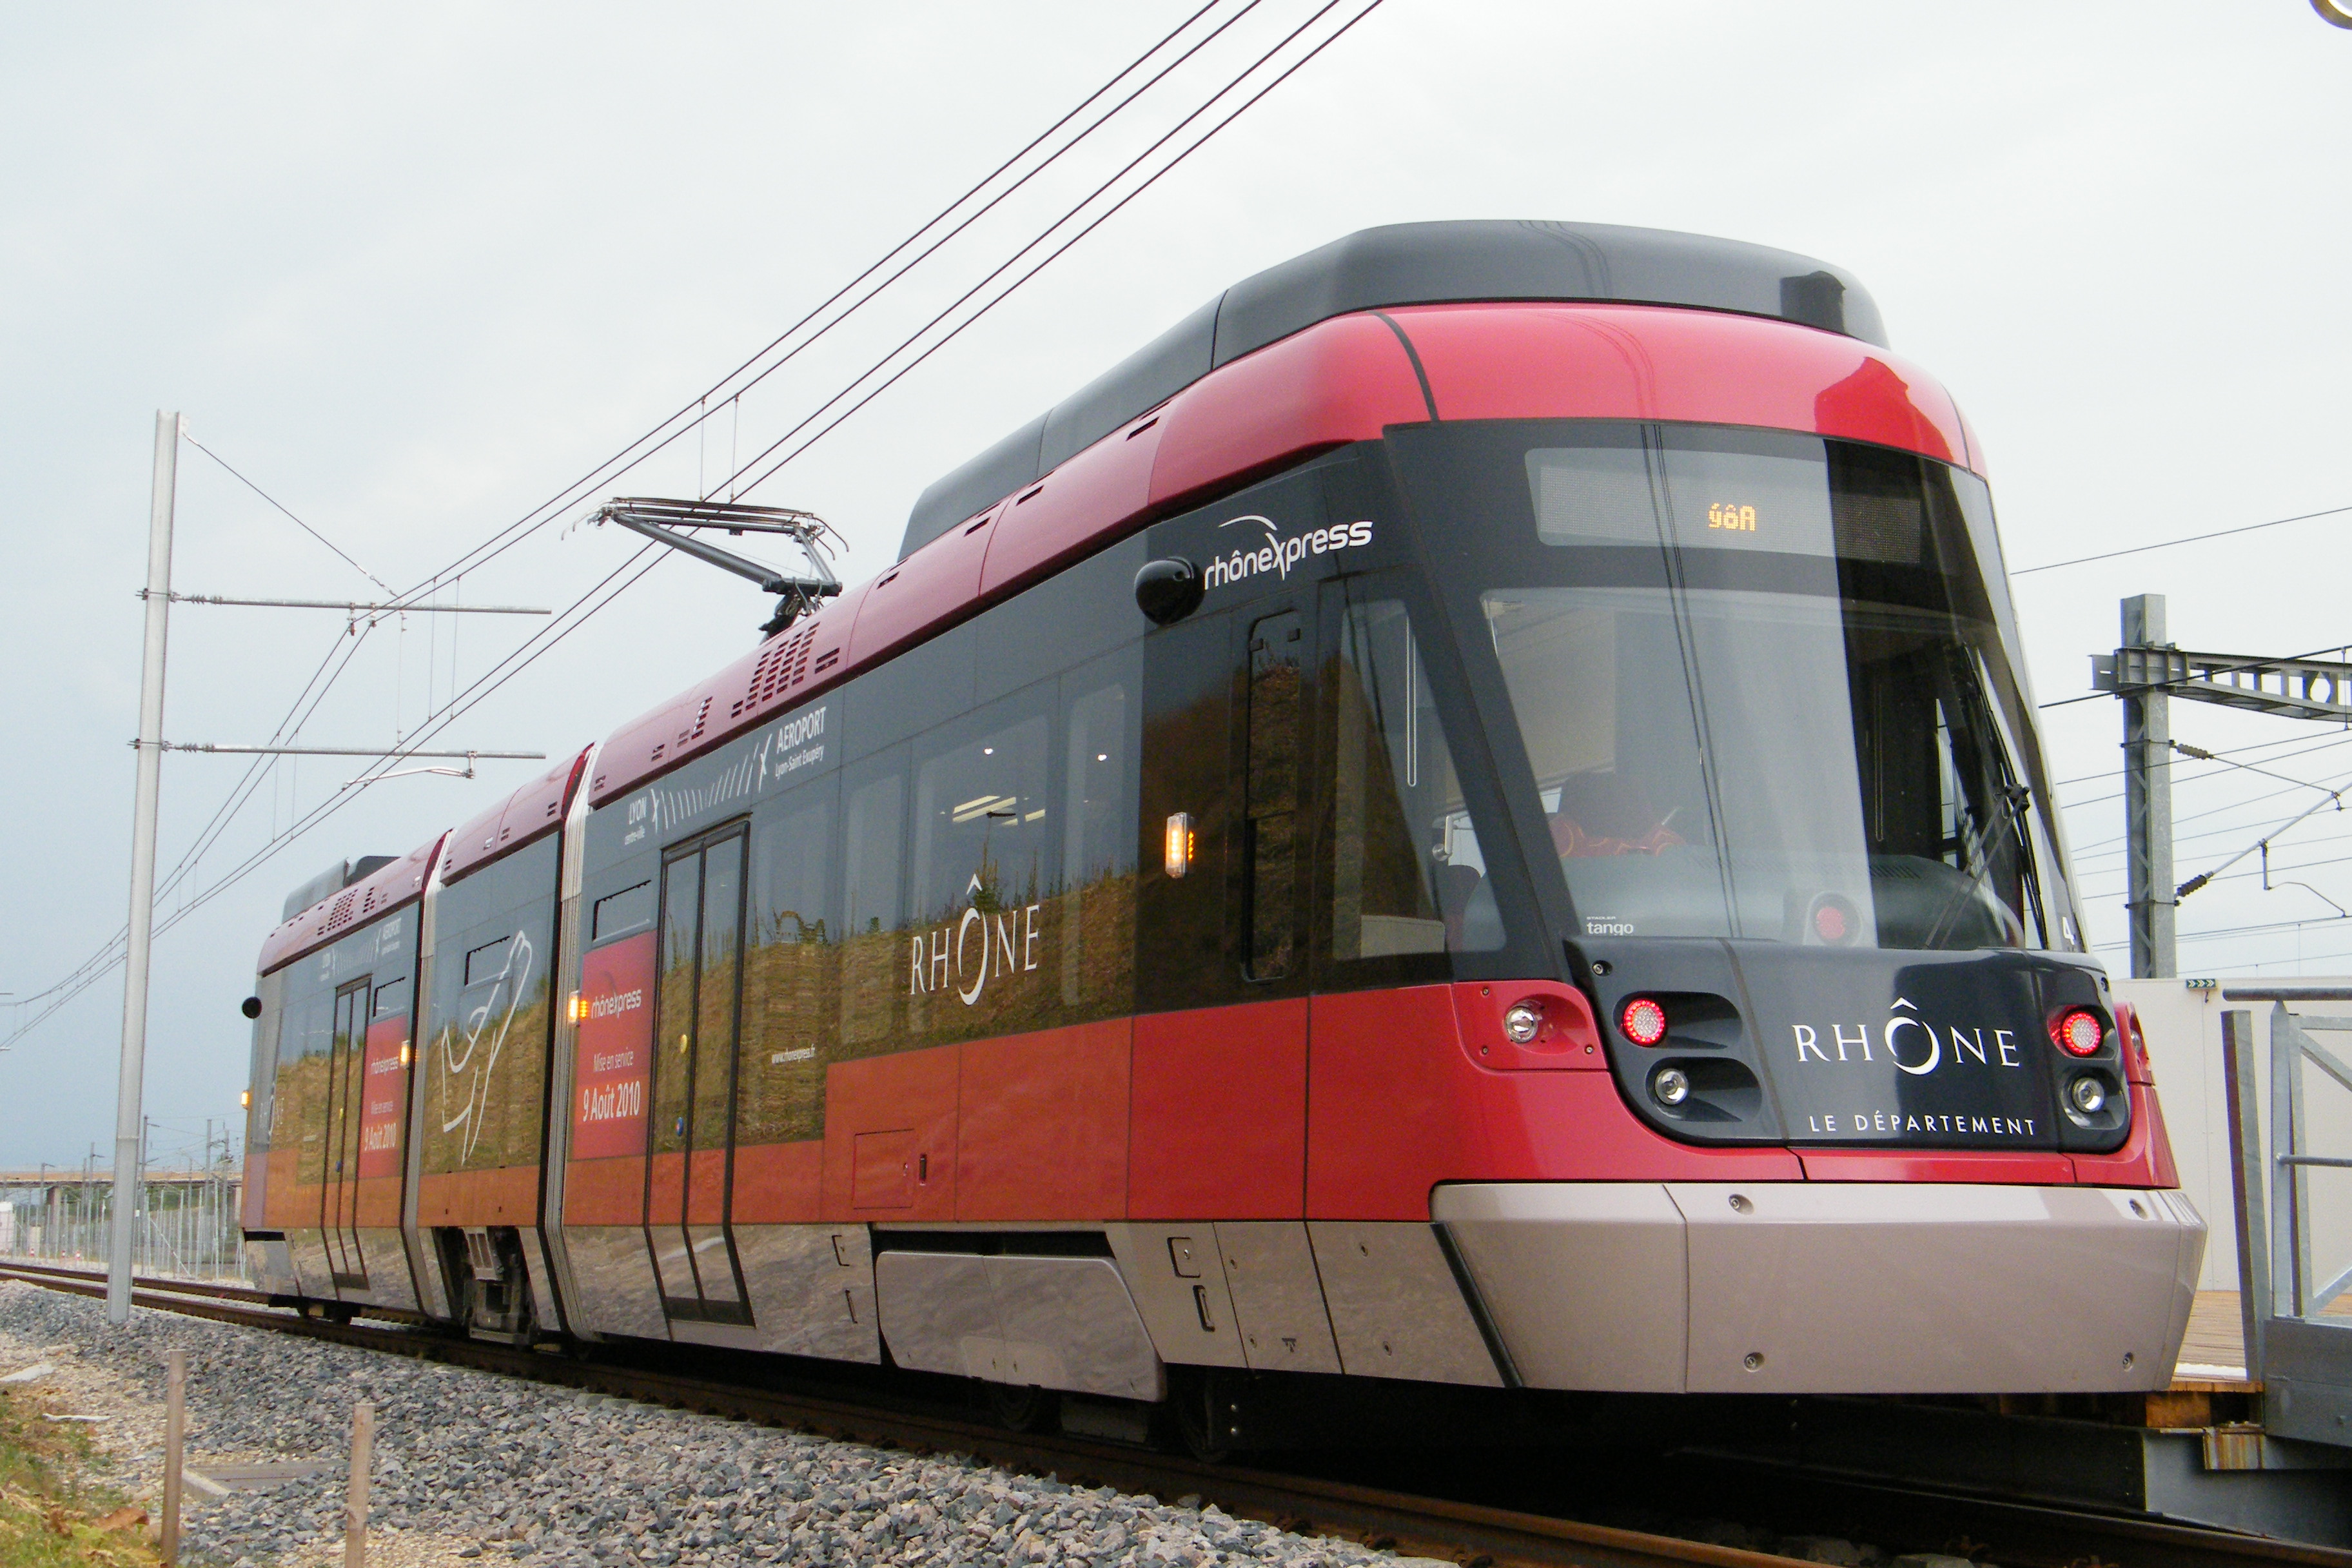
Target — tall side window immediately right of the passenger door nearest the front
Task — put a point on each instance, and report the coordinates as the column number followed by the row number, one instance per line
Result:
column 791, row 972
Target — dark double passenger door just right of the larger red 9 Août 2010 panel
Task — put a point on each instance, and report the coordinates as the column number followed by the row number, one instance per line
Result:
column 695, row 1078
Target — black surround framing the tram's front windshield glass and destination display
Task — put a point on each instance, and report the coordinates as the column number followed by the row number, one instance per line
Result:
column 1469, row 490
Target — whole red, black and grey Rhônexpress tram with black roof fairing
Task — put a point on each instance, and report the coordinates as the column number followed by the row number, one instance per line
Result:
column 1469, row 815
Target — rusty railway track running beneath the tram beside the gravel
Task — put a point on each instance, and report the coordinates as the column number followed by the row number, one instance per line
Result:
column 1410, row 1522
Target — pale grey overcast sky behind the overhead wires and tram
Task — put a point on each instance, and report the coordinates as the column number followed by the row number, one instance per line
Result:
column 417, row 269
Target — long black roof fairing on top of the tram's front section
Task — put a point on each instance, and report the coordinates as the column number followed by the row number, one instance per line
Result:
column 1405, row 264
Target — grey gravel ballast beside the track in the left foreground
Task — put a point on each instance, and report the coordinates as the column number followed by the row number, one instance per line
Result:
column 476, row 1466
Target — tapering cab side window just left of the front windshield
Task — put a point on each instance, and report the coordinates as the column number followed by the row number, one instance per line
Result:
column 1408, row 873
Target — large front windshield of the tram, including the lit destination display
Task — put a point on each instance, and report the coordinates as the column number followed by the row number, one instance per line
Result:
column 1760, row 683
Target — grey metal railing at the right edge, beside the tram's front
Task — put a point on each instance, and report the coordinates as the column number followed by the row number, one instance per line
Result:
column 2301, row 1362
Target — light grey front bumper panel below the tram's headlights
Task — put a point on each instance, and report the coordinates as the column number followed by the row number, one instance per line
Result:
column 1831, row 1287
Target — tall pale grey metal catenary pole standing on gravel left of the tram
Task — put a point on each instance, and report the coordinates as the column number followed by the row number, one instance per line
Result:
column 128, row 1090
